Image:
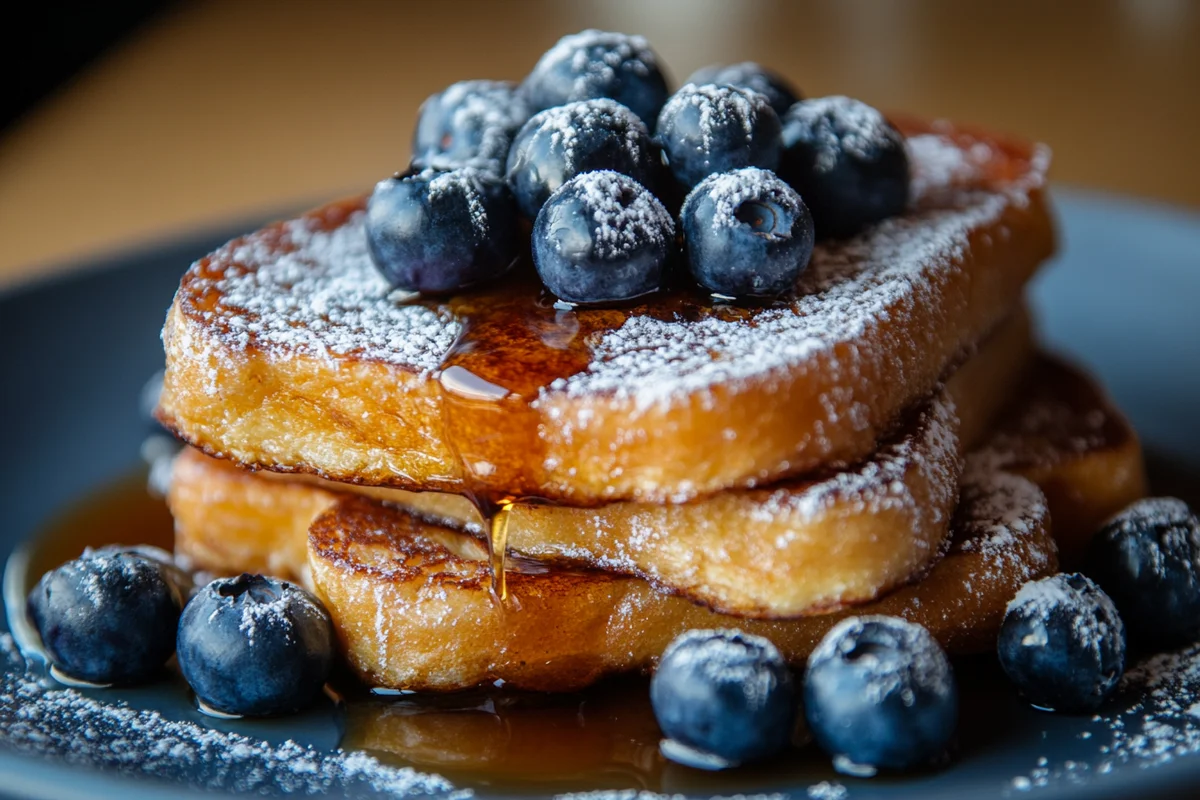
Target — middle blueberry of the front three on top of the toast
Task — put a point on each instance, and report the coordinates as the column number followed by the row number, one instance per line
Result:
column 602, row 238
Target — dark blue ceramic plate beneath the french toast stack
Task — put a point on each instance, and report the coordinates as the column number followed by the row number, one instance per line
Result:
column 77, row 351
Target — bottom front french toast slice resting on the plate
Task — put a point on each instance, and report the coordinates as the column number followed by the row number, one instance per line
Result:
column 413, row 610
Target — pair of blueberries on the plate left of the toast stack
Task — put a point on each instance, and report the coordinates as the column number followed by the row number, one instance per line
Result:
column 248, row 647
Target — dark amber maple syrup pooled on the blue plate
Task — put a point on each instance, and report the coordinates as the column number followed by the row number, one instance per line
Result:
column 604, row 738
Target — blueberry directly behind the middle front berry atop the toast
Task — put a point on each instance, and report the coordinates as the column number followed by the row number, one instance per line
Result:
column 561, row 143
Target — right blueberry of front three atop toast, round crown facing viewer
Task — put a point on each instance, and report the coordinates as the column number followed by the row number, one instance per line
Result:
column 747, row 233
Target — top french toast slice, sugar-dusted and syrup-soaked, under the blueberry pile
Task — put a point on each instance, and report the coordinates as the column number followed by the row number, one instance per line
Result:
column 287, row 352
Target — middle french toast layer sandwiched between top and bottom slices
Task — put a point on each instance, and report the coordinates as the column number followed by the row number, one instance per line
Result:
column 797, row 548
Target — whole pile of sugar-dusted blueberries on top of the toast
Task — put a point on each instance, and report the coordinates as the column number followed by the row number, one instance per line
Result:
column 733, row 176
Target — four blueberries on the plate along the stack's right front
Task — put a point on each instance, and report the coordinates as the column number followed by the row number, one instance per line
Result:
column 880, row 694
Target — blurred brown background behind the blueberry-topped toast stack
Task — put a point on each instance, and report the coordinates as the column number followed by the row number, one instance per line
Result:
column 134, row 122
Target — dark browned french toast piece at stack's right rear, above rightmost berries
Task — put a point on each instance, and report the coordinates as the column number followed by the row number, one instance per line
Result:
column 1065, row 434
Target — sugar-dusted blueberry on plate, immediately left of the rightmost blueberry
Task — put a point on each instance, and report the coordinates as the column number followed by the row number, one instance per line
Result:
column 1063, row 643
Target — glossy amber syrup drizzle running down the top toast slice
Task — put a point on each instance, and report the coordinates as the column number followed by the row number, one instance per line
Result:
column 514, row 342
